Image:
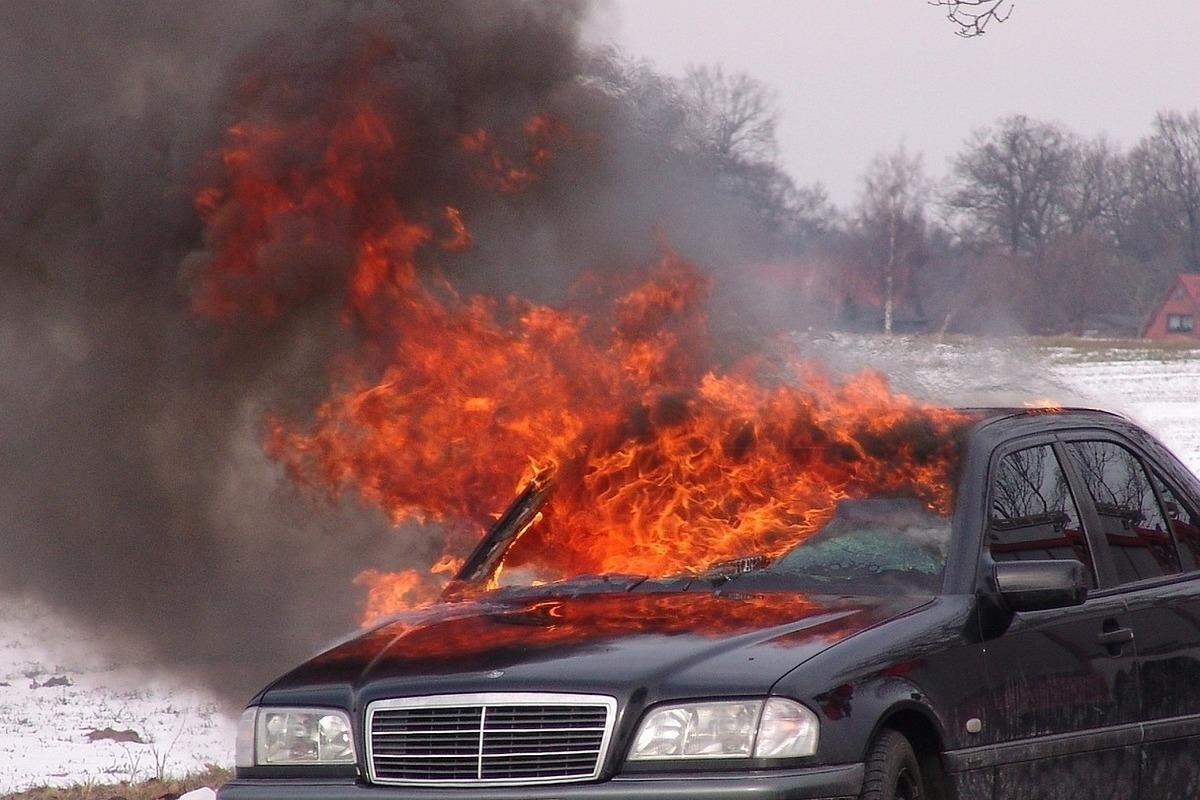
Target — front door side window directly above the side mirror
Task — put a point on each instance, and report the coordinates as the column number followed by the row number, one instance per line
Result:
column 1034, row 514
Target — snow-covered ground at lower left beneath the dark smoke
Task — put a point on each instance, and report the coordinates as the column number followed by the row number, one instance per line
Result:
column 71, row 715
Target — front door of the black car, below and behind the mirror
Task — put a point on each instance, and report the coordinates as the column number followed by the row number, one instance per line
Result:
column 1063, row 683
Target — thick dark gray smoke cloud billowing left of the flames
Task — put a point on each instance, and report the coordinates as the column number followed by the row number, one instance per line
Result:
column 136, row 497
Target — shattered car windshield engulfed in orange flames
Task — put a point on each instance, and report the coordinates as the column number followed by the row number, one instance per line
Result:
column 791, row 531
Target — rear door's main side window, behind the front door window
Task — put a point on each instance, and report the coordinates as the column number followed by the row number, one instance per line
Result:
column 1132, row 522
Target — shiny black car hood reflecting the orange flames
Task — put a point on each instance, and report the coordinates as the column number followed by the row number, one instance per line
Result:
column 675, row 643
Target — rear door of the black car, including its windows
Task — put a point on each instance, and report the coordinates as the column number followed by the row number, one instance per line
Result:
column 1153, row 534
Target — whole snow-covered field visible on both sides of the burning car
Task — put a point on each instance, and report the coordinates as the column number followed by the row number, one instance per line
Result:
column 73, row 713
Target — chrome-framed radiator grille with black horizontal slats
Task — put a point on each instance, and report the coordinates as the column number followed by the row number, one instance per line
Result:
column 493, row 739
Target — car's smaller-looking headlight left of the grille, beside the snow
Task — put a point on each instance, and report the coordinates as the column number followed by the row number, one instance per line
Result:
column 293, row 736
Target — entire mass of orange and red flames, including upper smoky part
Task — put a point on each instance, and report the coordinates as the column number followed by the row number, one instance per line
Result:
column 664, row 459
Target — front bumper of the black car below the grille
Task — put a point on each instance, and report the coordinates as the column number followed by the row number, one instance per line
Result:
column 842, row 783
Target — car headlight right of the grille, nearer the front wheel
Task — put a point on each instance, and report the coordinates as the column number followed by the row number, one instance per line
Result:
column 771, row 729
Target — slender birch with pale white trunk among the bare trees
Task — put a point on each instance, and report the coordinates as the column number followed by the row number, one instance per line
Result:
column 892, row 219
